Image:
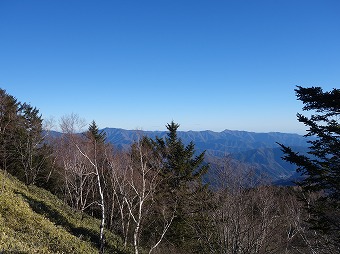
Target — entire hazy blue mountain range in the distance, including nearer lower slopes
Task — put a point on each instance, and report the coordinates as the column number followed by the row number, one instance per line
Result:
column 257, row 149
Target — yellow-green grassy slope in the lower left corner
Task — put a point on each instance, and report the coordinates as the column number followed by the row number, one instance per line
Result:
column 32, row 220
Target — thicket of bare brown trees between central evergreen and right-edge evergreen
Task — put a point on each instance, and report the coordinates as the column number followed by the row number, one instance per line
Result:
column 252, row 216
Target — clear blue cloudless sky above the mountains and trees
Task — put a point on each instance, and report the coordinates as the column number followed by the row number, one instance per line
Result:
column 206, row 64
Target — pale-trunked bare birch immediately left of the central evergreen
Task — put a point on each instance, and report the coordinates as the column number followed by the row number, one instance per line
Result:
column 135, row 187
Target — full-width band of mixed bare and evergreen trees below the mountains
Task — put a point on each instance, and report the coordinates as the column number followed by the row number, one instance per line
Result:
column 156, row 197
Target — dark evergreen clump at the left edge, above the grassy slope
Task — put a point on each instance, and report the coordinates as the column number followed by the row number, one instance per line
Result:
column 24, row 152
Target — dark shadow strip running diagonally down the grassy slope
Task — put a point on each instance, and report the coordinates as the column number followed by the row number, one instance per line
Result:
column 57, row 218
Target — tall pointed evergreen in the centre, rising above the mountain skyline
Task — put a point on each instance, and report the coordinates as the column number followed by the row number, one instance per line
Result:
column 182, row 187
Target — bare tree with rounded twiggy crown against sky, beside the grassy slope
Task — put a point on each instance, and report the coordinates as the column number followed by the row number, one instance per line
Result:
column 83, row 164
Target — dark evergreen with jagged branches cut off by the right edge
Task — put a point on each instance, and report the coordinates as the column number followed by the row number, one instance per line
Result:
column 321, row 168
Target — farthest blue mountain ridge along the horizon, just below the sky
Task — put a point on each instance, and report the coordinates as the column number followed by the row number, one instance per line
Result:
column 229, row 141
